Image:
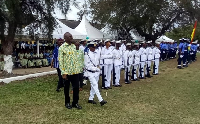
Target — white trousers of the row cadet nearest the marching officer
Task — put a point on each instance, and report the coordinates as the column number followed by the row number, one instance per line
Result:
column 107, row 73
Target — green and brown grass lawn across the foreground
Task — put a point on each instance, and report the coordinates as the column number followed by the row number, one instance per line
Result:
column 171, row 97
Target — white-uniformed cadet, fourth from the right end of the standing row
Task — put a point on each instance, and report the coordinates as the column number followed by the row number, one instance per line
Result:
column 136, row 62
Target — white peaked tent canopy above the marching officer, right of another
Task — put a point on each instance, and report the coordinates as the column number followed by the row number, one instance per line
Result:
column 87, row 29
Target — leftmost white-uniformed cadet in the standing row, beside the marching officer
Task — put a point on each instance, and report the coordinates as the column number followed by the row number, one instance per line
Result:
column 106, row 57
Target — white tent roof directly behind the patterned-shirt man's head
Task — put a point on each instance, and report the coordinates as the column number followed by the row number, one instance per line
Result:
column 62, row 28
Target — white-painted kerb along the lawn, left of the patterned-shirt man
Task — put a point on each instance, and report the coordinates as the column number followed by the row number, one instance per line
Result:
column 8, row 80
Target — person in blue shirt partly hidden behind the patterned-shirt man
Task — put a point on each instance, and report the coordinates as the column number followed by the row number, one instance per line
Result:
column 55, row 64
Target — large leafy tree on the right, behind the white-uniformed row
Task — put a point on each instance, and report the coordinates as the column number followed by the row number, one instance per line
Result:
column 150, row 18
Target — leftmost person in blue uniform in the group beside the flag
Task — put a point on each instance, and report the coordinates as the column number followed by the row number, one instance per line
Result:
column 180, row 53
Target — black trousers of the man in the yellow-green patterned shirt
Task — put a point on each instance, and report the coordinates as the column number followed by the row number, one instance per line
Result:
column 74, row 79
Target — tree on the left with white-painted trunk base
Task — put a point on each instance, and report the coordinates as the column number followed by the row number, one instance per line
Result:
column 16, row 14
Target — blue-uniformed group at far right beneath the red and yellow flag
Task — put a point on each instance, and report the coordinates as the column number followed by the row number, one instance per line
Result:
column 187, row 52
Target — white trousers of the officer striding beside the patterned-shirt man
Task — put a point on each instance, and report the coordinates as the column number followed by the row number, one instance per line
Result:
column 94, row 88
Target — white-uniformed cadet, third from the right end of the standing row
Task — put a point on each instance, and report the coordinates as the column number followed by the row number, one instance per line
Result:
column 142, row 53
